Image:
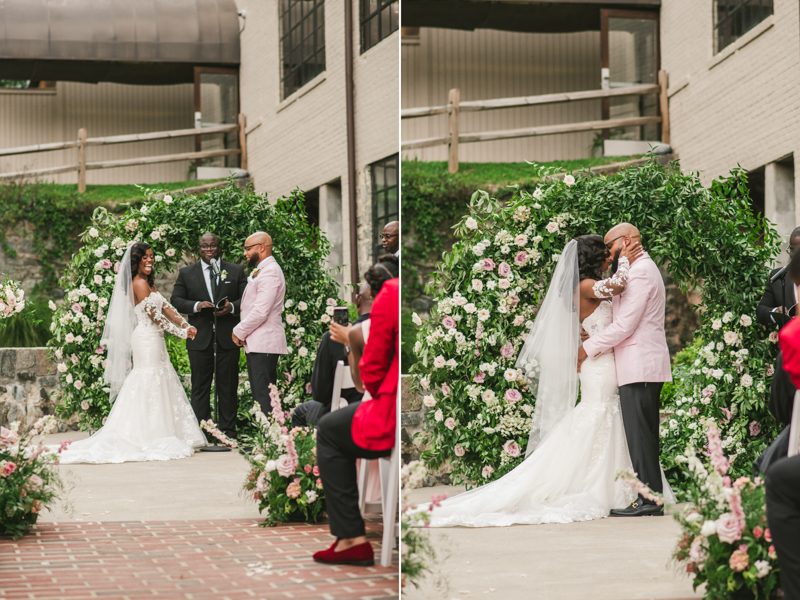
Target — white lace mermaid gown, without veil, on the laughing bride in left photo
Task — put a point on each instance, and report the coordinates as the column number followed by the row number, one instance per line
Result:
column 151, row 418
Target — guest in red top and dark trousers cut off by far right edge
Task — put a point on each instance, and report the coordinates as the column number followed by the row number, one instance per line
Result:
column 783, row 475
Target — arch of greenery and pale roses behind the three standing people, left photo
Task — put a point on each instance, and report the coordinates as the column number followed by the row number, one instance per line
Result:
column 172, row 227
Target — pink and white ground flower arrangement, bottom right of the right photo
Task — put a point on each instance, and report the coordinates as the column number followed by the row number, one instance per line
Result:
column 726, row 541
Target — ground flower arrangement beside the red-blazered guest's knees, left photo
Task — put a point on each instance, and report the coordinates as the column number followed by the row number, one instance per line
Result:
column 284, row 476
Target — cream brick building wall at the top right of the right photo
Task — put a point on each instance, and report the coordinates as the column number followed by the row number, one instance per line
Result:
column 739, row 106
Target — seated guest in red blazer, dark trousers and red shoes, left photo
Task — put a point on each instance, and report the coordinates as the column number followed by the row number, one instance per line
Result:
column 365, row 429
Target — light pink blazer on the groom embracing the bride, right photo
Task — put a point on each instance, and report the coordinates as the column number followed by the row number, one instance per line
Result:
column 637, row 331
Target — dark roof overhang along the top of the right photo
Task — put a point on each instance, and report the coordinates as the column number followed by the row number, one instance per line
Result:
column 526, row 16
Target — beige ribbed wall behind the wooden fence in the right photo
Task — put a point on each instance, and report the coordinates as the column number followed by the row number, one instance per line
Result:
column 487, row 64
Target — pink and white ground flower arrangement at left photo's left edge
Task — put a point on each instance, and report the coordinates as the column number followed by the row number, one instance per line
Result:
column 28, row 481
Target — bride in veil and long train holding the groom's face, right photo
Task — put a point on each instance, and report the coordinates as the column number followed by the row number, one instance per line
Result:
column 574, row 451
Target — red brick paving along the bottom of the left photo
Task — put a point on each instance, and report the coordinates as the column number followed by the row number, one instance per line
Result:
column 193, row 560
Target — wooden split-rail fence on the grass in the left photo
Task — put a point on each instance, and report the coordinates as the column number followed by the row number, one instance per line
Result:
column 83, row 142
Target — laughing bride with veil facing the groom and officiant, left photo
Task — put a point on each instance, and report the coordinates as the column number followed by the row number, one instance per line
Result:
column 151, row 418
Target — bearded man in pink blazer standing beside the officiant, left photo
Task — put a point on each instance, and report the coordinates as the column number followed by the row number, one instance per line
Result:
column 261, row 328
